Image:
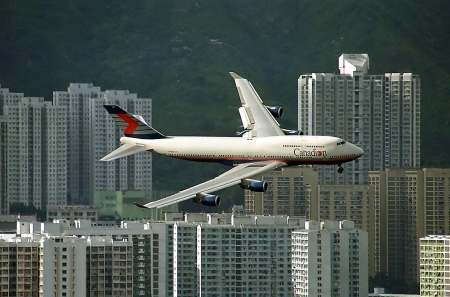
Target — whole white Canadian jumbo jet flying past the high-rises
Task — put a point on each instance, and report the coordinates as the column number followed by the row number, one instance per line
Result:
column 262, row 146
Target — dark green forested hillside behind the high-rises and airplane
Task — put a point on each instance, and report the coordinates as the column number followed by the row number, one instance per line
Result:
column 179, row 54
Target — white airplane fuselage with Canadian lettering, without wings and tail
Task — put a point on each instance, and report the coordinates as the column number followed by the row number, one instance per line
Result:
column 293, row 150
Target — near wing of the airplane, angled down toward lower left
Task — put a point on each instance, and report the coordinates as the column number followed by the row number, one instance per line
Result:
column 227, row 179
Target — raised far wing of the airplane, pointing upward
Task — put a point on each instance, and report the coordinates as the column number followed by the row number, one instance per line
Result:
column 257, row 120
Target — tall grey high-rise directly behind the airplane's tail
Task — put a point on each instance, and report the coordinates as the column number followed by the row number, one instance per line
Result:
column 92, row 134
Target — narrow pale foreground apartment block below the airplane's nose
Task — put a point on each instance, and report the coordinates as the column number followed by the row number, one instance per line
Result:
column 330, row 259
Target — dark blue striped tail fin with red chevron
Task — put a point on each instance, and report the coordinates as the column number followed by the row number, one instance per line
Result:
column 131, row 125
